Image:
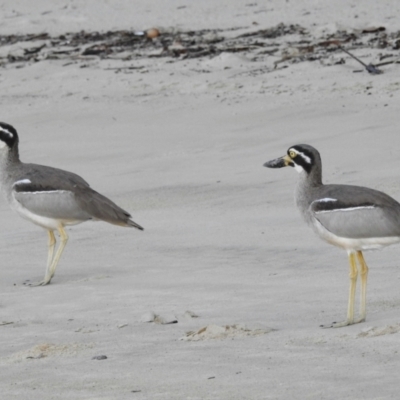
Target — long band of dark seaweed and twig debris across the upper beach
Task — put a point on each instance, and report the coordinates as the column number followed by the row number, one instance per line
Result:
column 292, row 41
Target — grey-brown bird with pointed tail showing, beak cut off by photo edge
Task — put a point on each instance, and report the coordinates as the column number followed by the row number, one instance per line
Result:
column 51, row 198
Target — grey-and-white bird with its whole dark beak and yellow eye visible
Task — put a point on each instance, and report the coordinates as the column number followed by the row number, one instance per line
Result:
column 354, row 218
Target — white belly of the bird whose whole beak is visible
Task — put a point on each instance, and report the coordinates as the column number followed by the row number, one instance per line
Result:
column 354, row 243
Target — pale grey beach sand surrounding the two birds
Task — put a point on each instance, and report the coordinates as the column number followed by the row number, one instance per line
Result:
column 183, row 150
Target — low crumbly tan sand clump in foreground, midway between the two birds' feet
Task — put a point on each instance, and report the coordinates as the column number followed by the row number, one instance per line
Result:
column 212, row 332
